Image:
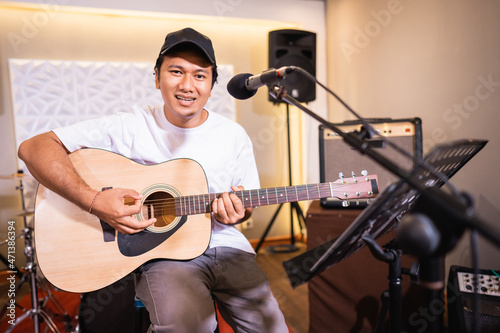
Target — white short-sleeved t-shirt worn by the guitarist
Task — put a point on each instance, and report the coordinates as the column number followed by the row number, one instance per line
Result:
column 219, row 145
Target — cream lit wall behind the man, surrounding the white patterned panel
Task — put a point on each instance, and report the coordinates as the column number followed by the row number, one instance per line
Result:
column 134, row 31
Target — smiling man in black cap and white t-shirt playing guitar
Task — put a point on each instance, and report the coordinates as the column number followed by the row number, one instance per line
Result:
column 177, row 294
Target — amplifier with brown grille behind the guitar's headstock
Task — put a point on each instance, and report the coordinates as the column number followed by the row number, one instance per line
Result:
column 337, row 156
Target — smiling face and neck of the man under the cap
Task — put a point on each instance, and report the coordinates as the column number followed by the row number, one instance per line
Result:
column 185, row 82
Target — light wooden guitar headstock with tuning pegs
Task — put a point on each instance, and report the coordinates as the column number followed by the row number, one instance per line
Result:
column 364, row 186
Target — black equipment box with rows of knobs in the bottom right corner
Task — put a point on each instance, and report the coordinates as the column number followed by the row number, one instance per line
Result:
column 460, row 297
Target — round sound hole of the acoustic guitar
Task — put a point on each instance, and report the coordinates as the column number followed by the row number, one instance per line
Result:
column 161, row 206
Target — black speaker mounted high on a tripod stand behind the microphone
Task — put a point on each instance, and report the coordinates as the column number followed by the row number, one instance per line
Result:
column 289, row 47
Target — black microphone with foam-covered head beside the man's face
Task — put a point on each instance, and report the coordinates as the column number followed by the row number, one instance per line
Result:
column 243, row 86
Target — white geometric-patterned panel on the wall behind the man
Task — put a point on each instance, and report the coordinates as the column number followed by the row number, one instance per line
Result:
column 47, row 94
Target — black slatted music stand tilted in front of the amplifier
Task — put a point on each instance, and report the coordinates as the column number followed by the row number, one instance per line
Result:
column 383, row 215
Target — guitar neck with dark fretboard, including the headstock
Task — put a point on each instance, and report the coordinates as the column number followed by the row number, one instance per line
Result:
column 201, row 204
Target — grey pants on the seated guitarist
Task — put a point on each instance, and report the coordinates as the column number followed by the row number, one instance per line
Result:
column 179, row 295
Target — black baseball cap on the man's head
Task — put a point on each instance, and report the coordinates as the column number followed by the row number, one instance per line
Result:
column 189, row 35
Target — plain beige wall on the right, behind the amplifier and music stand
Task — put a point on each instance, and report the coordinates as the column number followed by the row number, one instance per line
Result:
column 438, row 60
